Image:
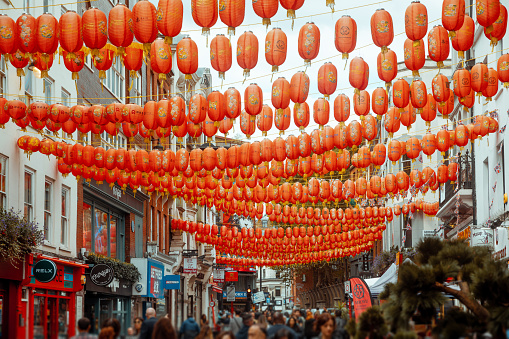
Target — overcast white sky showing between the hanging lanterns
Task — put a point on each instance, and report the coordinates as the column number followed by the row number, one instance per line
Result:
column 312, row 11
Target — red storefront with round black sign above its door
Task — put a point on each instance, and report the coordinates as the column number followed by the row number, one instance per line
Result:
column 50, row 298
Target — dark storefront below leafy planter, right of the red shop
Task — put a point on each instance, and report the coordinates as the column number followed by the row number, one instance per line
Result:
column 105, row 302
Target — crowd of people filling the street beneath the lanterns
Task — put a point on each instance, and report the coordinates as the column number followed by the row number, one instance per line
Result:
column 299, row 324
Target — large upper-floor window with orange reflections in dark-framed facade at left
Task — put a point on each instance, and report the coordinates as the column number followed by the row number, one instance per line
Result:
column 100, row 231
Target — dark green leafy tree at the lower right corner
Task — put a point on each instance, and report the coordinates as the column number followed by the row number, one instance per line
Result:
column 482, row 285
